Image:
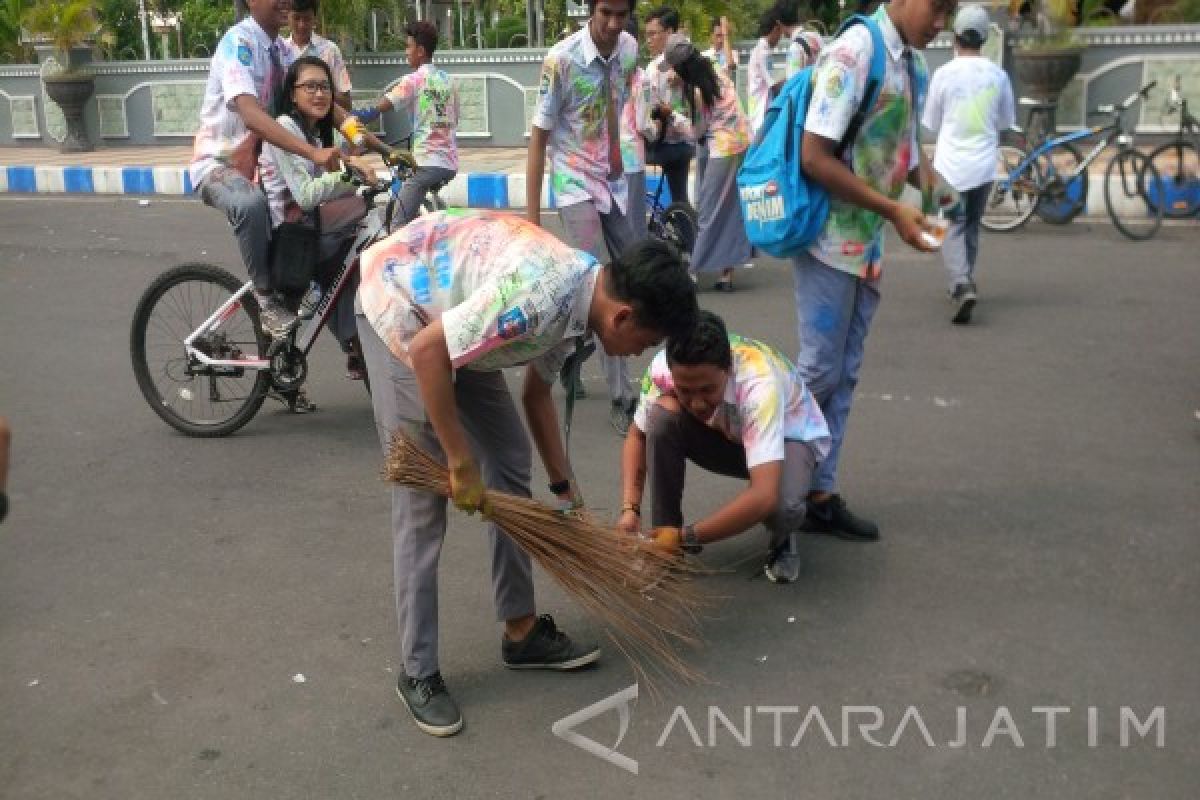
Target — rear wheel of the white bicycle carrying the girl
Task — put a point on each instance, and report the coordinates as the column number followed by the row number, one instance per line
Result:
column 194, row 399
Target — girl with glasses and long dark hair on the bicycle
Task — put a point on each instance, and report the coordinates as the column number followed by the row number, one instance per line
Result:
column 302, row 194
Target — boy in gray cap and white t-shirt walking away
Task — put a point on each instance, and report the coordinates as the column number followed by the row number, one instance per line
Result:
column 970, row 104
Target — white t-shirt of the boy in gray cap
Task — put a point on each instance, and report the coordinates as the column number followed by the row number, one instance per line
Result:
column 970, row 103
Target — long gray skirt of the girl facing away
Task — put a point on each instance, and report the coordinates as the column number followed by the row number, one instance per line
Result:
column 722, row 243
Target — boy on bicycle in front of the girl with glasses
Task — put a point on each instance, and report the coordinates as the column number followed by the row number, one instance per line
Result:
column 247, row 76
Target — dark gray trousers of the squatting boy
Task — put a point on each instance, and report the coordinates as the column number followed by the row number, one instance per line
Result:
column 674, row 438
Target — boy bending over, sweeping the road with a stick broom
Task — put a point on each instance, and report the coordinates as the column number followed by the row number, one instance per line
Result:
column 446, row 305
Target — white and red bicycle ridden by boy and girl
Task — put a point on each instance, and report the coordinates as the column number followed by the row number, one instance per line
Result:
column 201, row 357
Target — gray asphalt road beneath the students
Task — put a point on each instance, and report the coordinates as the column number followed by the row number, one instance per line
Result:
column 1035, row 474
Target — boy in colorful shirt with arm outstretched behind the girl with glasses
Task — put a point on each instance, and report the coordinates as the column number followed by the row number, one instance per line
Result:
column 429, row 100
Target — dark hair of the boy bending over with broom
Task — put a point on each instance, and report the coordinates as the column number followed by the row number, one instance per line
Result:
column 650, row 276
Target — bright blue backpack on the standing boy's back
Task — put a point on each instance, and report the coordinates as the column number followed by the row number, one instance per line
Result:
column 782, row 209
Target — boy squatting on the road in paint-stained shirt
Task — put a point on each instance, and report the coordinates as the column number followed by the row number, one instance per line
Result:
column 735, row 407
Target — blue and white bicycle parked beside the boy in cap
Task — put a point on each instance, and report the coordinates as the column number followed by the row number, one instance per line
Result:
column 1131, row 182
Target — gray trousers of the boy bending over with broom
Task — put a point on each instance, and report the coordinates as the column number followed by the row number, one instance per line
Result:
column 419, row 519
